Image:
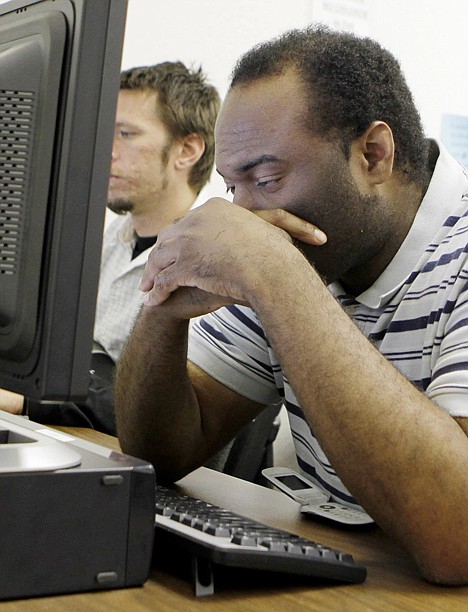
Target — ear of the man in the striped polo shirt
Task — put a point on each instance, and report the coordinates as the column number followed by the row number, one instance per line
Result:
column 373, row 153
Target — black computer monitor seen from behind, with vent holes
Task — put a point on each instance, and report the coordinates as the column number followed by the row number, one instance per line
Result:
column 59, row 80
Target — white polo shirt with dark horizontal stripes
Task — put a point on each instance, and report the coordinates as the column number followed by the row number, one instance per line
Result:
column 416, row 314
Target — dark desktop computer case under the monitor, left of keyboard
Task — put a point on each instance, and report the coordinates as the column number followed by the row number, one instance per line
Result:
column 75, row 516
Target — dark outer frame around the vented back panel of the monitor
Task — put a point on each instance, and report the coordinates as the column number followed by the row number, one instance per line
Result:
column 57, row 366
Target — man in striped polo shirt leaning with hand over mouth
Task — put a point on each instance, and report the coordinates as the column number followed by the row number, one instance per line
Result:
column 335, row 282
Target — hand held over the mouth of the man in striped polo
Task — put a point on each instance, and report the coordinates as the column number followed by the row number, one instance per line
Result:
column 221, row 249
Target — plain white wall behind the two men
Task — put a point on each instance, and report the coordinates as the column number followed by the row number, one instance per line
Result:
column 428, row 37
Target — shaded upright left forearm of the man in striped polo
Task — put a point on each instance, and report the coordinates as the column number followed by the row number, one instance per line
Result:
column 156, row 409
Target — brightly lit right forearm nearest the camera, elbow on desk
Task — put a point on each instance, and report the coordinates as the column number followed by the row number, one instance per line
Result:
column 402, row 457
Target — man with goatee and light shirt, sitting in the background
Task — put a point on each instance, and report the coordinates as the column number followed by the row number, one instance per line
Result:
column 162, row 157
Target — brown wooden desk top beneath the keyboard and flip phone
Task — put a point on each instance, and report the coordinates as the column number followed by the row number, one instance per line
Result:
column 392, row 584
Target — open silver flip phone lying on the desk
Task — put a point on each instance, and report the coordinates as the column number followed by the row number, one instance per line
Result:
column 313, row 499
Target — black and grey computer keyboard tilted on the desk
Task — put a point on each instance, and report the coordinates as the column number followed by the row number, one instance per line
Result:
column 216, row 536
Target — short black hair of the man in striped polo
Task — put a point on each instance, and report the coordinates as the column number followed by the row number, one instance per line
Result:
column 353, row 81
